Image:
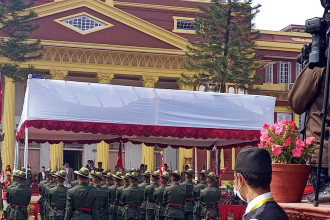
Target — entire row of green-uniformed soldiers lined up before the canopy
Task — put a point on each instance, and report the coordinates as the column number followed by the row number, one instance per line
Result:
column 107, row 196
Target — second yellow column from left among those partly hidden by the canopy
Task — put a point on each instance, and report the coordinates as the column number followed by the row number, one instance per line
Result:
column 102, row 152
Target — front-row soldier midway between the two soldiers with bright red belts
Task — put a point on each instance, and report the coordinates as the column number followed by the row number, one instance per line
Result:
column 131, row 198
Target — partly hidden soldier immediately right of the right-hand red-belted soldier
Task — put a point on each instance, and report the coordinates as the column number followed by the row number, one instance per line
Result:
column 189, row 186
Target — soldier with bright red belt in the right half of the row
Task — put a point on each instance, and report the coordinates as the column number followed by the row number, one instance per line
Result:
column 174, row 198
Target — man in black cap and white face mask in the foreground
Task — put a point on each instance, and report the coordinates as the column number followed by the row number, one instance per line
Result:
column 253, row 175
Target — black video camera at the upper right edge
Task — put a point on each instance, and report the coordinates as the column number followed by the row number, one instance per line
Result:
column 315, row 53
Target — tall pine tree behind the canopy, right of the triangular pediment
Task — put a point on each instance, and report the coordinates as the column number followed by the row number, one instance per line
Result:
column 225, row 51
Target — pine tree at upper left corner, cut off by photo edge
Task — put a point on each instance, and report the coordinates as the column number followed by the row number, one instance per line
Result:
column 15, row 29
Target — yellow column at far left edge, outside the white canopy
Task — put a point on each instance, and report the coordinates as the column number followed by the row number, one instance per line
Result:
column 8, row 123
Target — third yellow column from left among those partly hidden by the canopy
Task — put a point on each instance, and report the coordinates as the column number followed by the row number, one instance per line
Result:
column 148, row 152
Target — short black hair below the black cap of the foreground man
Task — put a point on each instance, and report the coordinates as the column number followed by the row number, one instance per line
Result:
column 258, row 180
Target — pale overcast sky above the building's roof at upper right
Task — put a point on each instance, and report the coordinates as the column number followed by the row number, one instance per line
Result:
column 277, row 14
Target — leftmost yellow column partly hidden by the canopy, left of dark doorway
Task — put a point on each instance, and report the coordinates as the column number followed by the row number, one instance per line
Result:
column 56, row 150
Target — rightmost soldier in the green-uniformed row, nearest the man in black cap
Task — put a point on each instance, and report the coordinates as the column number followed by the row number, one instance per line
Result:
column 210, row 198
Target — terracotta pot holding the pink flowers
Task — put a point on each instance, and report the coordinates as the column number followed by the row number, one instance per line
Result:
column 289, row 181
